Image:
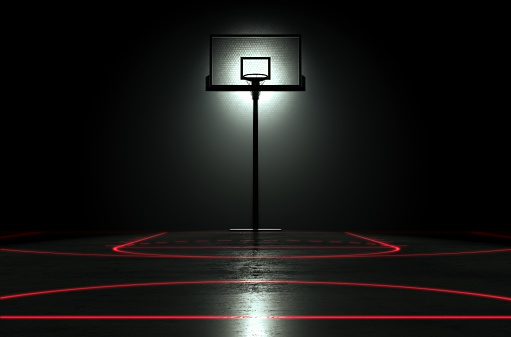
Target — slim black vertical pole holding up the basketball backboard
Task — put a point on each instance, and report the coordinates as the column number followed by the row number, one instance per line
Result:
column 255, row 163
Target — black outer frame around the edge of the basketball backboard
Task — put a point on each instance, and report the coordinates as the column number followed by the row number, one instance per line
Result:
column 269, row 87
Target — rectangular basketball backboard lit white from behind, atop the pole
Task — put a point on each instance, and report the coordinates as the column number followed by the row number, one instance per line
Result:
column 235, row 58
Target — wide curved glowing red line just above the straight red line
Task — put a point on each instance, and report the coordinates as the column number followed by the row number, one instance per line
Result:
column 203, row 282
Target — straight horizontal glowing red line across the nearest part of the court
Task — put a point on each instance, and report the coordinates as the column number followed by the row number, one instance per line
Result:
column 302, row 317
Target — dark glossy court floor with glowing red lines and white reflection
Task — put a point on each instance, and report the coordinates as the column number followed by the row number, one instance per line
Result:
column 267, row 284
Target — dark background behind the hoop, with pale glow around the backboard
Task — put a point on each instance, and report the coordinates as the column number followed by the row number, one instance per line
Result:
column 400, row 128
